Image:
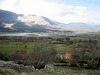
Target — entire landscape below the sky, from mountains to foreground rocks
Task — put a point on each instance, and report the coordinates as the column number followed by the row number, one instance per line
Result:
column 36, row 45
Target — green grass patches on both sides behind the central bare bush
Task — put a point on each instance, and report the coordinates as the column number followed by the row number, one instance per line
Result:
column 6, row 46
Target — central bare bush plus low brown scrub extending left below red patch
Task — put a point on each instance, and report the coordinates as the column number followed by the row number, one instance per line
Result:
column 39, row 56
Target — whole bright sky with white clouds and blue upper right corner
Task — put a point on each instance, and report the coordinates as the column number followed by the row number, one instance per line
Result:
column 64, row 11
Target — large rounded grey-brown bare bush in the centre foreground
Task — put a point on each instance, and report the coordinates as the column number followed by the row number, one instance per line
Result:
column 42, row 55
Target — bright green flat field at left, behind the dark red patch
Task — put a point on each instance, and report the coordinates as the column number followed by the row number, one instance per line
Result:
column 6, row 46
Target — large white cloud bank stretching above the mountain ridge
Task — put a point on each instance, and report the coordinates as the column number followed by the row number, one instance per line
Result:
column 59, row 12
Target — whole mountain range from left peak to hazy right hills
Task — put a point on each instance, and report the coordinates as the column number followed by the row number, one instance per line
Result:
column 12, row 22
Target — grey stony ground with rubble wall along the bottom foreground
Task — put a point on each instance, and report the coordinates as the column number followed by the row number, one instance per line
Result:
column 10, row 68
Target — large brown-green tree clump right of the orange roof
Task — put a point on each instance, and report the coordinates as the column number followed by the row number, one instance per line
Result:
column 86, row 51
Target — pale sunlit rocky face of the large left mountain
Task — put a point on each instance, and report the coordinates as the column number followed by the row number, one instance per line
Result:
column 33, row 19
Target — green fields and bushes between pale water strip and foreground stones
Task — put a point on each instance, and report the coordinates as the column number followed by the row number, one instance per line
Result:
column 84, row 50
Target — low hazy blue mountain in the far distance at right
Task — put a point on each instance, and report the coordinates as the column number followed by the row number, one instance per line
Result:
column 81, row 27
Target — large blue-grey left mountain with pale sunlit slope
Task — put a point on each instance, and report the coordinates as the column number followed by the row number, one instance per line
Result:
column 10, row 22
